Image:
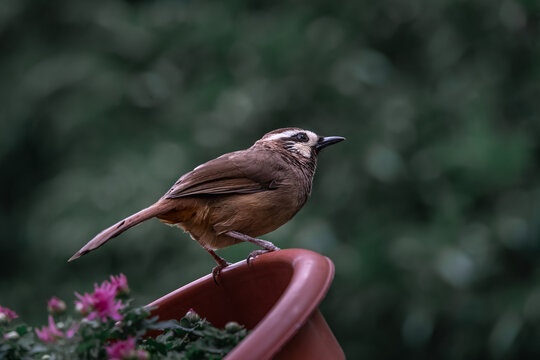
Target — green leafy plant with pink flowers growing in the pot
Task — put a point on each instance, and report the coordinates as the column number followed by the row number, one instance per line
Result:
column 121, row 337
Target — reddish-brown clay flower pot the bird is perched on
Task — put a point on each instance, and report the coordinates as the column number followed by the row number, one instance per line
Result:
column 276, row 297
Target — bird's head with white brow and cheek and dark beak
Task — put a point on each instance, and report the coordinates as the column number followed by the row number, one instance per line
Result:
column 298, row 142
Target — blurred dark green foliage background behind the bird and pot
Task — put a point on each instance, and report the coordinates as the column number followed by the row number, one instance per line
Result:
column 430, row 211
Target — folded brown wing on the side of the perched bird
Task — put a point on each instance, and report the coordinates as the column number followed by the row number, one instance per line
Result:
column 240, row 172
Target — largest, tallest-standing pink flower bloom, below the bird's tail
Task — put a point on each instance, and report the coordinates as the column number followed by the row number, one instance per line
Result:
column 101, row 303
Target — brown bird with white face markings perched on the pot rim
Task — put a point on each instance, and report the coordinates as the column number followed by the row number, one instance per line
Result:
column 237, row 196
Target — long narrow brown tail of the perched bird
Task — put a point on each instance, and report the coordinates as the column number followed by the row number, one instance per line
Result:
column 118, row 228
